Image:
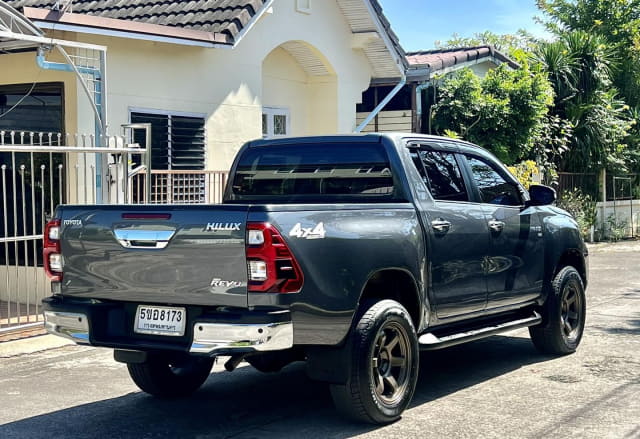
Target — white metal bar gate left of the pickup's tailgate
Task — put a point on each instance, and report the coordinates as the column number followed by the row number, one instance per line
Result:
column 39, row 171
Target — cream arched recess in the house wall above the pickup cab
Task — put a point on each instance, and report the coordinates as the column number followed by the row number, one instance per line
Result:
column 299, row 92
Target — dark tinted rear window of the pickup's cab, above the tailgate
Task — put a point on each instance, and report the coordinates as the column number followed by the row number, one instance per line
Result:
column 310, row 172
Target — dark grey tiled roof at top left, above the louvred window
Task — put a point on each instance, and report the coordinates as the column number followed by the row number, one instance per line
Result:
column 227, row 17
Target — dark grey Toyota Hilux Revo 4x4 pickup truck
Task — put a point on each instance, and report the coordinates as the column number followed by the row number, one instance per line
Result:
column 352, row 253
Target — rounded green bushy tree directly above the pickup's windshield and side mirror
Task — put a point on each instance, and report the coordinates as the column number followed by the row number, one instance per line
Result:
column 504, row 112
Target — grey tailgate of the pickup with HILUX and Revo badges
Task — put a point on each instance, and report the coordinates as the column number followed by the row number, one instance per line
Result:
column 155, row 254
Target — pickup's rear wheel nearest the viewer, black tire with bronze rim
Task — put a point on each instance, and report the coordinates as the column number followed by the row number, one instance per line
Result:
column 384, row 365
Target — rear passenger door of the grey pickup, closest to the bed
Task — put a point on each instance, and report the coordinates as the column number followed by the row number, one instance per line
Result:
column 458, row 234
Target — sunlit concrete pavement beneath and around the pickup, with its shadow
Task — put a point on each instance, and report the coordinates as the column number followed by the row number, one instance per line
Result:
column 498, row 387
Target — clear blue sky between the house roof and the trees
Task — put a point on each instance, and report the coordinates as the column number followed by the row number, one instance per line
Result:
column 419, row 23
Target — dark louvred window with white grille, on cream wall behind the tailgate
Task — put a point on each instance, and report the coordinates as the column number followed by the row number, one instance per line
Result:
column 178, row 147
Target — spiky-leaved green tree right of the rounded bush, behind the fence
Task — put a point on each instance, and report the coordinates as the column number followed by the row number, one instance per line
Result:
column 579, row 66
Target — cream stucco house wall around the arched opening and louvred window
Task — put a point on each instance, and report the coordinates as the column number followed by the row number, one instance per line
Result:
column 226, row 86
